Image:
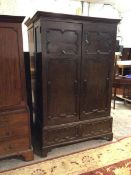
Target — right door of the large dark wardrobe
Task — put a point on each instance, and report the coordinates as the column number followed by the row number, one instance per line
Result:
column 96, row 69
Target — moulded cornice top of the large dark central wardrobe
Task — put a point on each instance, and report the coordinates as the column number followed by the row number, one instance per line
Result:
column 40, row 14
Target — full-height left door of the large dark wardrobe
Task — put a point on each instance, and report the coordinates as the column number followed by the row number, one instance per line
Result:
column 61, row 60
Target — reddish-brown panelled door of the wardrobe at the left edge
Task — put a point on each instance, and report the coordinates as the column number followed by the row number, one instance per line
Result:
column 11, row 94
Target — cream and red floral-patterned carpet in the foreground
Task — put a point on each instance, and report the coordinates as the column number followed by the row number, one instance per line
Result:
column 110, row 159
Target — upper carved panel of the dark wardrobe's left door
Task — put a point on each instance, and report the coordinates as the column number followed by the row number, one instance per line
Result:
column 62, row 38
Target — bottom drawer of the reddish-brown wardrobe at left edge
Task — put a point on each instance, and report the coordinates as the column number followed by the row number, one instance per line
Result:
column 13, row 146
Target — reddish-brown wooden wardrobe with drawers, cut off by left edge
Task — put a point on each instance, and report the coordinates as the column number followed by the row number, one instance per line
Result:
column 15, row 136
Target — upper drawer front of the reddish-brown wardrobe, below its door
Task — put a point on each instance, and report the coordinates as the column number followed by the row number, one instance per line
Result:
column 14, row 125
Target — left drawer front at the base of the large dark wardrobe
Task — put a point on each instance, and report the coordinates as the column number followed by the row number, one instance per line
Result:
column 60, row 135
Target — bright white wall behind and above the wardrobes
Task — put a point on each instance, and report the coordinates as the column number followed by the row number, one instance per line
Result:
column 29, row 7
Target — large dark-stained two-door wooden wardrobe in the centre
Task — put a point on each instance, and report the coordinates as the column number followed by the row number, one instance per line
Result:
column 72, row 58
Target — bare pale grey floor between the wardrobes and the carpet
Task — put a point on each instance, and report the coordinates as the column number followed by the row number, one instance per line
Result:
column 121, row 128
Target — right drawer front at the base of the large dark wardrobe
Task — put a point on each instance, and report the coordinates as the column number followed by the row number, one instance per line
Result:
column 96, row 128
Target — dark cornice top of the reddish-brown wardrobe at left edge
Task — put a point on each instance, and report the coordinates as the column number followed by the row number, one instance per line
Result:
column 11, row 19
